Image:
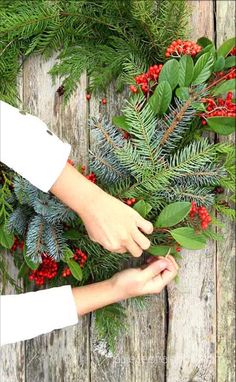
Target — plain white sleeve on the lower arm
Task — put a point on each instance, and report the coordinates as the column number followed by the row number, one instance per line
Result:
column 28, row 315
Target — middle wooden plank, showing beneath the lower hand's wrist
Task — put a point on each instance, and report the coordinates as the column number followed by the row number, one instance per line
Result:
column 140, row 354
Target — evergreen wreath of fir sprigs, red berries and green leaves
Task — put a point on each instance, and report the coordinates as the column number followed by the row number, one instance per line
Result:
column 155, row 157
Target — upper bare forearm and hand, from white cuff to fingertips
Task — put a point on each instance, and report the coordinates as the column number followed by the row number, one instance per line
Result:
column 107, row 220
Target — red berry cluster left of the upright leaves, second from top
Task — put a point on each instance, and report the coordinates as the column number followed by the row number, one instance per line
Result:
column 147, row 80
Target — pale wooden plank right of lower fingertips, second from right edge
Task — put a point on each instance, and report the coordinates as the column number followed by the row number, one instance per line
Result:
column 191, row 329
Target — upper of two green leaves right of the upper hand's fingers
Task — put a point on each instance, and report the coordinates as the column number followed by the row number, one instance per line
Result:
column 173, row 214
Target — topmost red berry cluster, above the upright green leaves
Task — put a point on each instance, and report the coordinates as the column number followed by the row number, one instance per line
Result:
column 180, row 47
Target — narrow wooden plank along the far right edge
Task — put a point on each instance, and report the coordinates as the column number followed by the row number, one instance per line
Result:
column 226, row 331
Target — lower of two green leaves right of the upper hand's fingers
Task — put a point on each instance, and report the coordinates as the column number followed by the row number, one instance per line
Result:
column 188, row 238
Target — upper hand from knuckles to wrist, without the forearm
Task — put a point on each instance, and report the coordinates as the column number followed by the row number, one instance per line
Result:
column 115, row 225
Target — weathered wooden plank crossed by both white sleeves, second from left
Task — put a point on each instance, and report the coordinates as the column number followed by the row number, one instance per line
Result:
column 62, row 355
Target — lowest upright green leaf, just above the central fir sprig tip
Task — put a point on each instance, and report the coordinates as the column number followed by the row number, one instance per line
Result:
column 161, row 98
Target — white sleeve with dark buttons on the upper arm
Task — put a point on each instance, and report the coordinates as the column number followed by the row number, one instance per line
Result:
column 30, row 148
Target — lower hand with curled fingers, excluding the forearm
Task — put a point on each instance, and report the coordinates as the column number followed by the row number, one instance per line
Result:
column 149, row 280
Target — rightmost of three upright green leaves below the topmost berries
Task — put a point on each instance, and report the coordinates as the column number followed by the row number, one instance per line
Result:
column 202, row 69
